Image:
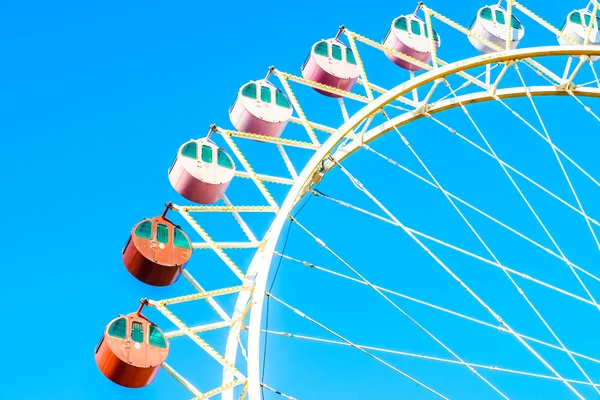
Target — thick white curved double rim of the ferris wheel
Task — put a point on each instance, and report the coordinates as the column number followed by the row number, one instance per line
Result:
column 258, row 271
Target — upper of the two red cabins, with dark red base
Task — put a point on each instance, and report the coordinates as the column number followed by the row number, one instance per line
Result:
column 157, row 251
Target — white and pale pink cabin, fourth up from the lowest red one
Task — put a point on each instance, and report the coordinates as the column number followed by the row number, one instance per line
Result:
column 260, row 108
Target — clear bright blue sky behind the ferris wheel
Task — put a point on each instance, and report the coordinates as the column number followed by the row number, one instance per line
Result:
column 96, row 99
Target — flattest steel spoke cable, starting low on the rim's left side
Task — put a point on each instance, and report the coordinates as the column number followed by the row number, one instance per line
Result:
column 426, row 357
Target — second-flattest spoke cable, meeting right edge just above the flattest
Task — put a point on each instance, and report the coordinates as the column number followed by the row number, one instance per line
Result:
column 436, row 307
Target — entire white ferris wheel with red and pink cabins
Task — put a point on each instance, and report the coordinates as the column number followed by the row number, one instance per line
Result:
column 222, row 176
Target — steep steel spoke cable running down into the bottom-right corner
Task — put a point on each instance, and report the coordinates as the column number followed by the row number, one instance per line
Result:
column 489, row 250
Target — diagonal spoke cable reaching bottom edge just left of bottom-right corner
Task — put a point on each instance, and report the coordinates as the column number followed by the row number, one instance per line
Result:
column 361, row 187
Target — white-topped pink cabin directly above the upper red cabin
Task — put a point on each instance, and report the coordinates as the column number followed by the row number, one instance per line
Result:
column 201, row 171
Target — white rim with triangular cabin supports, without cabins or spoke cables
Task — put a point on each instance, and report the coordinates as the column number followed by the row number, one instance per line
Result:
column 354, row 134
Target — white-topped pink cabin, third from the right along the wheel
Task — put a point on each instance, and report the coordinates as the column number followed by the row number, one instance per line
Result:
column 409, row 35
